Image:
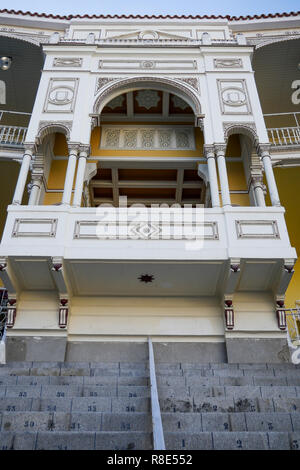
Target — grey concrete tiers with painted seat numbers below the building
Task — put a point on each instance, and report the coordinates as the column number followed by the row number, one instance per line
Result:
column 86, row 406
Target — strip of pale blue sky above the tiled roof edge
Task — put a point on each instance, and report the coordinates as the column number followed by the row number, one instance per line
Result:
column 173, row 7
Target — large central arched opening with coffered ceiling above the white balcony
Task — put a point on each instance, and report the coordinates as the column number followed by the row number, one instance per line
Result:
column 147, row 147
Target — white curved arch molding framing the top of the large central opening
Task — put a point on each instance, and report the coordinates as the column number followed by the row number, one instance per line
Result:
column 110, row 90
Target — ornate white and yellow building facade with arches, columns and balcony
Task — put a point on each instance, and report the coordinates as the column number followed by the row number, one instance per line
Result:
column 104, row 117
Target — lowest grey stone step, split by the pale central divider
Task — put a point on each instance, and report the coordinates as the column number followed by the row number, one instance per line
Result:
column 140, row 440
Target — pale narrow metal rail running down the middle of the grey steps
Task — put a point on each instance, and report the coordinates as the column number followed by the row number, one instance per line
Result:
column 158, row 433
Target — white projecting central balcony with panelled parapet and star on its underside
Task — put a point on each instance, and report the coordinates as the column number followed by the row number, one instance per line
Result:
column 235, row 248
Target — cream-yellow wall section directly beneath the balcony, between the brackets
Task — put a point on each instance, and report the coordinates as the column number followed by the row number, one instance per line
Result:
column 179, row 316
